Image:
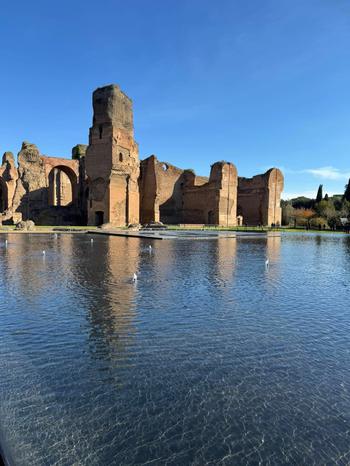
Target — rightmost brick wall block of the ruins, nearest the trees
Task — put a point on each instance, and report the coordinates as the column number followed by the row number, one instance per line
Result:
column 259, row 198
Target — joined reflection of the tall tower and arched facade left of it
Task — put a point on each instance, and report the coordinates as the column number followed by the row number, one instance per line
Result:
column 96, row 275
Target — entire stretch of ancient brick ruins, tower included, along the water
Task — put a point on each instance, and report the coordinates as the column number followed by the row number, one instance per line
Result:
column 105, row 182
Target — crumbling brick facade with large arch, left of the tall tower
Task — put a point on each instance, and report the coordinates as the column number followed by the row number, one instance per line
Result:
column 43, row 189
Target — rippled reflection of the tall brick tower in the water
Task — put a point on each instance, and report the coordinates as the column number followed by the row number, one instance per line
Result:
column 110, row 295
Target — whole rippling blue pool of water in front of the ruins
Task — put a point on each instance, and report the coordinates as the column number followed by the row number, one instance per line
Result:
column 209, row 357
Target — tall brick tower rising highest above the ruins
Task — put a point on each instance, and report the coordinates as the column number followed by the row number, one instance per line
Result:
column 112, row 160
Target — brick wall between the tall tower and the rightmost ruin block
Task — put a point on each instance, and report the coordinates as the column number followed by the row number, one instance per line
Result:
column 174, row 196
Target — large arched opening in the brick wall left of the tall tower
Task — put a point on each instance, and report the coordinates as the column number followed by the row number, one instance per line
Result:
column 62, row 186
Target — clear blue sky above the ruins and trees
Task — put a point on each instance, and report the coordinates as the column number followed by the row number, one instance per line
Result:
column 260, row 83
